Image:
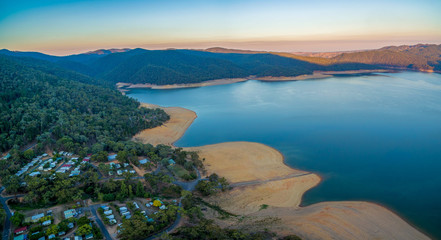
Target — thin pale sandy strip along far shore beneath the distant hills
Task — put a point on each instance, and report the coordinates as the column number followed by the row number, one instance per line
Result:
column 124, row 87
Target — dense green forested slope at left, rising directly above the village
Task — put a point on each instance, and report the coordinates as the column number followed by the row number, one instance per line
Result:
column 40, row 102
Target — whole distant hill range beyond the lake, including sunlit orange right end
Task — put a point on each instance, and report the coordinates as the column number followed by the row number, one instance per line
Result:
column 174, row 66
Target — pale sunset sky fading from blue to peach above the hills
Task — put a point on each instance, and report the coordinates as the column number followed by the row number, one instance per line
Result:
column 63, row 27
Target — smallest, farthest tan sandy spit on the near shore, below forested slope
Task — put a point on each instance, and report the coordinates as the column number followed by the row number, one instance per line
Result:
column 171, row 131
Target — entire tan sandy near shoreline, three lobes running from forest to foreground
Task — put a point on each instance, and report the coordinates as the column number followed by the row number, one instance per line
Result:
column 261, row 178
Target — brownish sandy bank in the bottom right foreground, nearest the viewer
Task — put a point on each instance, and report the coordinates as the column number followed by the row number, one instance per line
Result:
column 341, row 220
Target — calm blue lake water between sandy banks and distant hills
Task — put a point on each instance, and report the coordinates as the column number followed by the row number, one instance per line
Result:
column 372, row 137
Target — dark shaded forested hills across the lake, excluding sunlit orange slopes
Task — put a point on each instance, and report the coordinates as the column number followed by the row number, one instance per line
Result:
column 183, row 66
